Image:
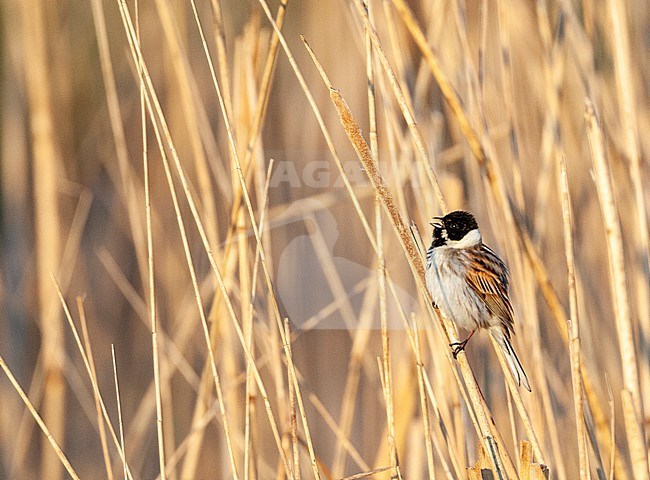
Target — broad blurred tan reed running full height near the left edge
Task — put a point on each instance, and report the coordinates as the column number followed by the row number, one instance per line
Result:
column 47, row 164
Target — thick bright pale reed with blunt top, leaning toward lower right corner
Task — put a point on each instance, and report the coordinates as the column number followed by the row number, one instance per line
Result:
column 618, row 286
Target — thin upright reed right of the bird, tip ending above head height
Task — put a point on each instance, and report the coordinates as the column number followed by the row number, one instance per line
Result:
column 573, row 325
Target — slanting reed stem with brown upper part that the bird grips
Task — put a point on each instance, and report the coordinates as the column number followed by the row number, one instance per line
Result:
column 355, row 136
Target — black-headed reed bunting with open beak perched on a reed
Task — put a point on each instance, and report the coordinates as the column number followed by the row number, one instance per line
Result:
column 469, row 282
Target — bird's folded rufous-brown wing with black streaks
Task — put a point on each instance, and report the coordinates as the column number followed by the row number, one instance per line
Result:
column 487, row 276
